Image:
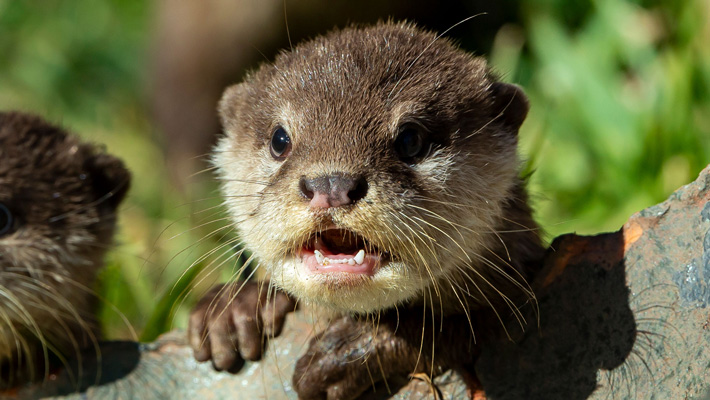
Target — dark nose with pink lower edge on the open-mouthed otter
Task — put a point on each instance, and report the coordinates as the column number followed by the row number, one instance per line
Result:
column 334, row 190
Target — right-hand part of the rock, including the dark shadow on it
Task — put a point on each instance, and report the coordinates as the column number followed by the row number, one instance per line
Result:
column 621, row 315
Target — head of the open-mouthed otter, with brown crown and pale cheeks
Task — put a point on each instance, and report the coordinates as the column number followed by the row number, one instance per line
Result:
column 370, row 167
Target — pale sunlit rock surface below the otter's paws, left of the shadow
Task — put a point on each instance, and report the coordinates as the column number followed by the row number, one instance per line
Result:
column 165, row 369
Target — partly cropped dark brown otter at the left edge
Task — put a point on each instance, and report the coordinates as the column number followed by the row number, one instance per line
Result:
column 58, row 201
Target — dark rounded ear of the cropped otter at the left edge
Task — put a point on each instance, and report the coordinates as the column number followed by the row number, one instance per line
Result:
column 109, row 178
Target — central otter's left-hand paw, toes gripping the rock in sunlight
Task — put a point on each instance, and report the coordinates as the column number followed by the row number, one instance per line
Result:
column 232, row 320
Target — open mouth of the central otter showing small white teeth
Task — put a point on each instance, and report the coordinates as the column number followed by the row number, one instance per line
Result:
column 341, row 250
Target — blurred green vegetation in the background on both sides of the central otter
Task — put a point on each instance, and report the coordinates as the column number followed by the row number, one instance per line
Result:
column 620, row 94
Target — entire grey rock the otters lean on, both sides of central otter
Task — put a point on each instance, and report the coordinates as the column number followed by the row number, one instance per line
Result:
column 619, row 315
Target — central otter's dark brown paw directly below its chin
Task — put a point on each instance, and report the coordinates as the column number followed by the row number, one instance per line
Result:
column 349, row 357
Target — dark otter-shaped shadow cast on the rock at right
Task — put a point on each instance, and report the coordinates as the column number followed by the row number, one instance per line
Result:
column 584, row 323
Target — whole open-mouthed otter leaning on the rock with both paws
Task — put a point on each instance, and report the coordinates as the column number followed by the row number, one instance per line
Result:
column 373, row 173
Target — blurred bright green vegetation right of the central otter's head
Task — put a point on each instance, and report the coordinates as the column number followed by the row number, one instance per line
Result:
column 620, row 92
